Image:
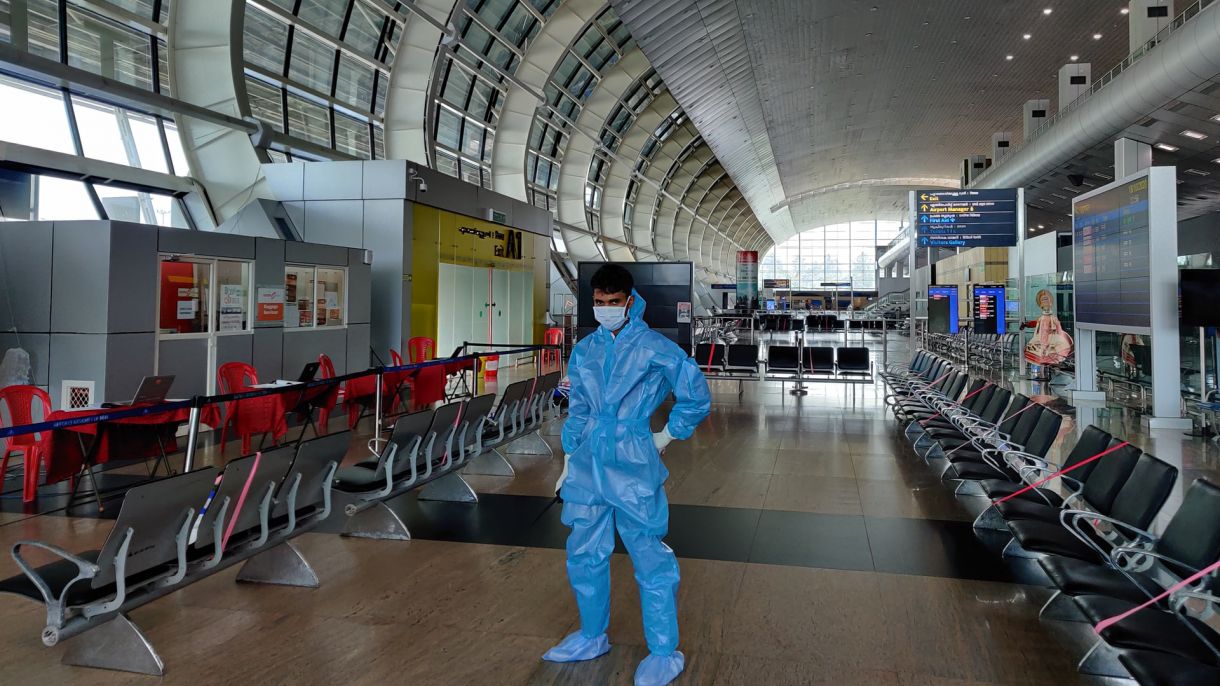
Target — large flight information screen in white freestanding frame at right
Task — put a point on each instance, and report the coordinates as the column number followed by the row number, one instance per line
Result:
column 1111, row 258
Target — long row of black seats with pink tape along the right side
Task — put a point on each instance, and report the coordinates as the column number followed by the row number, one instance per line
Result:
column 1086, row 522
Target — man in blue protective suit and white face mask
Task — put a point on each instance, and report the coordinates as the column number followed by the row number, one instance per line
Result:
column 613, row 473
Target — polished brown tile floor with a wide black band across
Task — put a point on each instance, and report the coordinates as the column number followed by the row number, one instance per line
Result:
column 816, row 549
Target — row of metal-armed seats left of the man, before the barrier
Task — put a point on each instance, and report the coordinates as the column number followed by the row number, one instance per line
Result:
column 175, row 532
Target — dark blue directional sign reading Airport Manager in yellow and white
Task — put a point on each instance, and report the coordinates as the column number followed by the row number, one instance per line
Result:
column 967, row 219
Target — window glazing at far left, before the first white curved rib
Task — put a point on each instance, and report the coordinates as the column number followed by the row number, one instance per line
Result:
column 124, row 41
